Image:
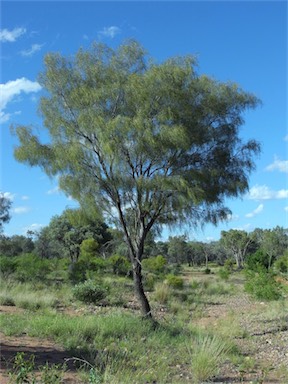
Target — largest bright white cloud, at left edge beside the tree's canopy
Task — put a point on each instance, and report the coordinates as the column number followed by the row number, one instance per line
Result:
column 11, row 89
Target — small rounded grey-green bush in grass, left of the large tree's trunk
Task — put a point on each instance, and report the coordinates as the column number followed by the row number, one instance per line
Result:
column 90, row 292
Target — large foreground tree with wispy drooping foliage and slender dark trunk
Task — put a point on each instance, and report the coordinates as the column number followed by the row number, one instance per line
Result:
column 148, row 143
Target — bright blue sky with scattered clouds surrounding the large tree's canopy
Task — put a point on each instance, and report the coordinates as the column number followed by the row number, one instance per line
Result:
column 245, row 42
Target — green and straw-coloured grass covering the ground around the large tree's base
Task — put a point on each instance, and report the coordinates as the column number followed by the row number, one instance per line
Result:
column 115, row 343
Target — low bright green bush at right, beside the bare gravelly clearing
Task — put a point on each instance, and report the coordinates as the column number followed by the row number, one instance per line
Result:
column 262, row 286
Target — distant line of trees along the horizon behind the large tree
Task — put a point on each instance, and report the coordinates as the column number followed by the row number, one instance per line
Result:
column 71, row 235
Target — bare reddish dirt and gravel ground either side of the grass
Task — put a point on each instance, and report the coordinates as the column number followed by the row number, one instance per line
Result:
column 265, row 343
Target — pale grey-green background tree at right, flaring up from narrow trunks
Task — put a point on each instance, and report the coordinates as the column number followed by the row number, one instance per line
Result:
column 236, row 242
